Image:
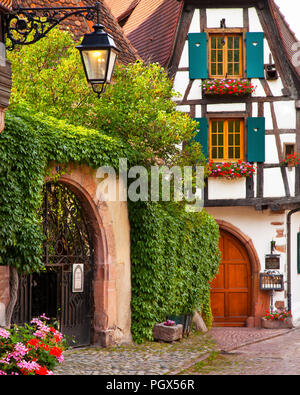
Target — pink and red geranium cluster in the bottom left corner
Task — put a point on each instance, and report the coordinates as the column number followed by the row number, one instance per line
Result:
column 31, row 349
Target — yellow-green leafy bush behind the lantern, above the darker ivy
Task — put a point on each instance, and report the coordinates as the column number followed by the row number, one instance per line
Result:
column 138, row 107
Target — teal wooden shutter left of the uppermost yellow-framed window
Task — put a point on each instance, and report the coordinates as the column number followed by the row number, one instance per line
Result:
column 197, row 55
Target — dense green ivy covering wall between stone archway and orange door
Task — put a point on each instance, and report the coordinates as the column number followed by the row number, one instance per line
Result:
column 174, row 256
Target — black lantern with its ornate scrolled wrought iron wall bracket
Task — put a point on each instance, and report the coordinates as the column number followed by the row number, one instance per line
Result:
column 98, row 51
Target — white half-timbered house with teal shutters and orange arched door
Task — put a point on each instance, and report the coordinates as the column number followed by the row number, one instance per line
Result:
column 207, row 47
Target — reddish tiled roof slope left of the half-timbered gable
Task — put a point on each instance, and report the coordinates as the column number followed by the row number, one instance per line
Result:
column 151, row 26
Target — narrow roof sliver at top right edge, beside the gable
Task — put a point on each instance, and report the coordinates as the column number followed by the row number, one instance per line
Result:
column 288, row 37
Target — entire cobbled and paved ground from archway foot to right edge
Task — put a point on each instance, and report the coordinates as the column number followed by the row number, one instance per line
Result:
column 199, row 350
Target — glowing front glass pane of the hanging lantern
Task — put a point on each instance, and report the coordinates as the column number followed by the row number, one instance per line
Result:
column 95, row 63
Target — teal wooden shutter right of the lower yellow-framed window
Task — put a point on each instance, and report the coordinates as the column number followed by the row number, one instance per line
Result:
column 256, row 140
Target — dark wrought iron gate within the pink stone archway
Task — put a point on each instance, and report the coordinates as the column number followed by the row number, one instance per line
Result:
column 67, row 242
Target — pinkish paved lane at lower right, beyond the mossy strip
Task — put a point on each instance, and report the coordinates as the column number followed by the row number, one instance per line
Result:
column 279, row 355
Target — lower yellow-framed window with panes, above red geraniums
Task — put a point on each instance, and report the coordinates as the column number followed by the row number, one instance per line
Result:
column 226, row 140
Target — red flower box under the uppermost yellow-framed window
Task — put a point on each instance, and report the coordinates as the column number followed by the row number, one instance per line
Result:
column 233, row 87
